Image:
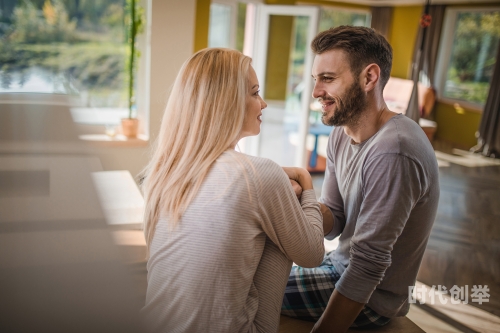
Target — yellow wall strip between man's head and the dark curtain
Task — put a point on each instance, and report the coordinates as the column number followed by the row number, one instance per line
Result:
column 405, row 22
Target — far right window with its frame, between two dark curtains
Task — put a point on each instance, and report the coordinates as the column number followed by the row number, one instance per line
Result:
column 468, row 54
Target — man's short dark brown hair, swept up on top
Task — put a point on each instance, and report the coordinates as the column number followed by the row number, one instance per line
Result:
column 362, row 45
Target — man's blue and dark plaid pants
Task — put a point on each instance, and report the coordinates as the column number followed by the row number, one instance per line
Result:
column 309, row 289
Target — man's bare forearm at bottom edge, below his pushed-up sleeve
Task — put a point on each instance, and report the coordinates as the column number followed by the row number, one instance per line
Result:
column 340, row 313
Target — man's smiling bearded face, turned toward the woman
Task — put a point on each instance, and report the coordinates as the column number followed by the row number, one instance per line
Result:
column 339, row 92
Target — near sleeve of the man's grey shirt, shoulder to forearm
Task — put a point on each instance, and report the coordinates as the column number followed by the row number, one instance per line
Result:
column 391, row 188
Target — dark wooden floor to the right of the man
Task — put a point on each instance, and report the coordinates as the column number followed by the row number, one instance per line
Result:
column 464, row 246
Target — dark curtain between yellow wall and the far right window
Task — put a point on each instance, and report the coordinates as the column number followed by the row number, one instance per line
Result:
column 425, row 55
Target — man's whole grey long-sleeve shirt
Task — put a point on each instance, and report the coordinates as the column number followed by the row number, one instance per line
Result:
column 383, row 194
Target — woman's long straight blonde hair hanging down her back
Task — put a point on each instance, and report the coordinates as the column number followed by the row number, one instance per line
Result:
column 203, row 118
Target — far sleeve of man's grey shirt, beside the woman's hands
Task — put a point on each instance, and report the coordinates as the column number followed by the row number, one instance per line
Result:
column 331, row 198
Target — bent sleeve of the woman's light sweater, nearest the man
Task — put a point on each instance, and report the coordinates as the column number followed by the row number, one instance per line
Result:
column 295, row 227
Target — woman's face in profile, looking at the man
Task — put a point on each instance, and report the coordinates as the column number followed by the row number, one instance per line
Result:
column 254, row 106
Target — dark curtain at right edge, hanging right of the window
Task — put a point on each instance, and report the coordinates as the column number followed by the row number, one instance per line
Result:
column 489, row 128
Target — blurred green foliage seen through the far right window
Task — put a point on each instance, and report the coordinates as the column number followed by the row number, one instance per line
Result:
column 473, row 55
